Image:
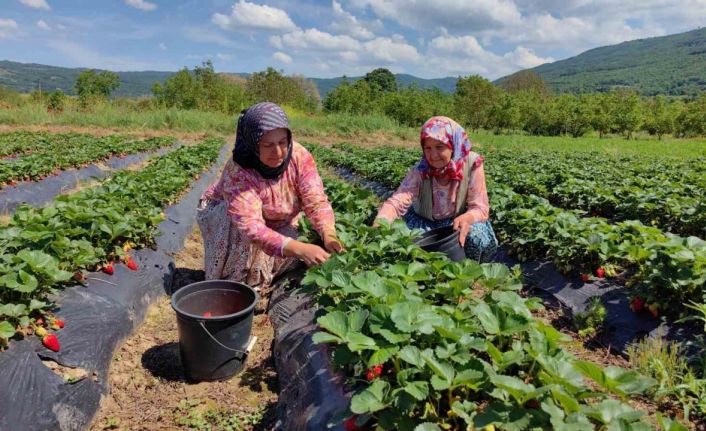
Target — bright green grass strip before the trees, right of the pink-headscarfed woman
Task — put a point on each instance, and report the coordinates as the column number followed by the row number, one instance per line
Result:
column 609, row 146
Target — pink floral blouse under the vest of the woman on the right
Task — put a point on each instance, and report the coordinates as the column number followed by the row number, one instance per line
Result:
column 444, row 197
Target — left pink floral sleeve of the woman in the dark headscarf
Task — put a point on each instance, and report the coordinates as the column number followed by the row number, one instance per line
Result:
column 245, row 209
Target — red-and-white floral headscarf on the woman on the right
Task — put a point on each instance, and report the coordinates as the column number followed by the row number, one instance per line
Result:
column 454, row 136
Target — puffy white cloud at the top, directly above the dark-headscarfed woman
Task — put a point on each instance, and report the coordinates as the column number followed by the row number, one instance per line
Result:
column 247, row 17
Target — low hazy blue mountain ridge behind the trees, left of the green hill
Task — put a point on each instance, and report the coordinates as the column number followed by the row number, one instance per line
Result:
column 25, row 77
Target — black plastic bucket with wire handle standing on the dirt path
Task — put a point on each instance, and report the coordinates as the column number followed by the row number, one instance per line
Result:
column 213, row 347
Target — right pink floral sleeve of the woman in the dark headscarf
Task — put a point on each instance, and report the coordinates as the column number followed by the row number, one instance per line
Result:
column 314, row 201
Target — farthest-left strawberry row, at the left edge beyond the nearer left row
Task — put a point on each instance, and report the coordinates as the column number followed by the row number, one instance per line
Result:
column 51, row 153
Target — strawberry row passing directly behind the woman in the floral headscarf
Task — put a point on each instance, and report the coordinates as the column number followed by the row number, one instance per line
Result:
column 661, row 268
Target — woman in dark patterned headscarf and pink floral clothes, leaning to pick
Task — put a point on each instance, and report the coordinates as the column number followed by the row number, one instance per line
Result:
column 248, row 218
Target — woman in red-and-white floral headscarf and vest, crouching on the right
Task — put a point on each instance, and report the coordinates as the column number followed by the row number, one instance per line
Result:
column 447, row 187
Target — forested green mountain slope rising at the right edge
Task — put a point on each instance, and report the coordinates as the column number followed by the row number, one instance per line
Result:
column 674, row 65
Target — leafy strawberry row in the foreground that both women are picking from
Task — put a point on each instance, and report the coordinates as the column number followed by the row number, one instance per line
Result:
column 430, row 344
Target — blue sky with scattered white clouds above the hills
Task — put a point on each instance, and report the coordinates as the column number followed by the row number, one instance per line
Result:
column 325, row 38
